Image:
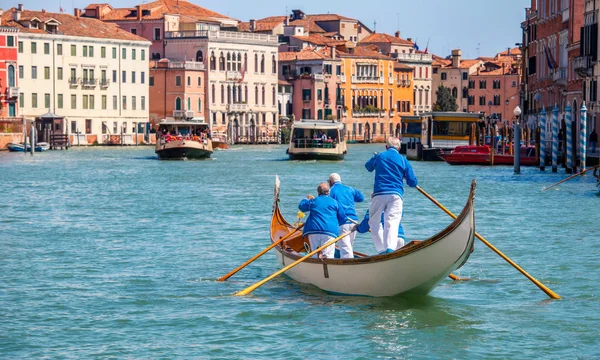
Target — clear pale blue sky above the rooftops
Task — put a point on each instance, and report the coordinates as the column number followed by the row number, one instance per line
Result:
column 477, row 27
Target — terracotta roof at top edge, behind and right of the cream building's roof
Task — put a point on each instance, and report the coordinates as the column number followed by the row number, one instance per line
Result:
column 161, row 7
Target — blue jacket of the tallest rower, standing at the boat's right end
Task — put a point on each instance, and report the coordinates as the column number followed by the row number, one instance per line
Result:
column 391, row 169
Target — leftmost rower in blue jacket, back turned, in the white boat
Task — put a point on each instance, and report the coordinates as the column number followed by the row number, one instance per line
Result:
column 322, row 225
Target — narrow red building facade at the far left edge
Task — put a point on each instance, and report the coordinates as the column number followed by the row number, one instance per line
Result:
column 8, row 58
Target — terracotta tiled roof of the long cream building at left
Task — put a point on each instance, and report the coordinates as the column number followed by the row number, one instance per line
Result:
column 71, row 26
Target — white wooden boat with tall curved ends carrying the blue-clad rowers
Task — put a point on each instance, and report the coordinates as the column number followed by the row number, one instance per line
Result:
column 417, row 268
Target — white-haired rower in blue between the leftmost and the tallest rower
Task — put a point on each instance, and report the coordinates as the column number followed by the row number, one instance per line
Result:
column 347, row 197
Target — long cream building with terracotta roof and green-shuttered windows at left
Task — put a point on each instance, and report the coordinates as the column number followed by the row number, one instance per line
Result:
column 90, row 72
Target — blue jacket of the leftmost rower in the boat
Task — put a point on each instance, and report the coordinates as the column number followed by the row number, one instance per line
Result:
column 326, row 215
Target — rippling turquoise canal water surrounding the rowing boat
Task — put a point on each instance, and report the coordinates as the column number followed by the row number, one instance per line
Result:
column 110, row 253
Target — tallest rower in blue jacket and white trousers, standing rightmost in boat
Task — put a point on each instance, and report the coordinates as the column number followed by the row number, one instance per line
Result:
column 391, row 169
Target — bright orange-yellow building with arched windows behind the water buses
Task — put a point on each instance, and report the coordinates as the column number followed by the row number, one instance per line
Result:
column 376, row 93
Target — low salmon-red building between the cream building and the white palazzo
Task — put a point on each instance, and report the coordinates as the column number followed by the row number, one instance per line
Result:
column 177, row 90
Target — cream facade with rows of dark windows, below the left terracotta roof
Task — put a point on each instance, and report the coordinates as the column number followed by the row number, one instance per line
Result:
column 48, row 90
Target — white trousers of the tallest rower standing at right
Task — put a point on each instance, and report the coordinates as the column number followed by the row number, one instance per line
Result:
column 386, row 237
